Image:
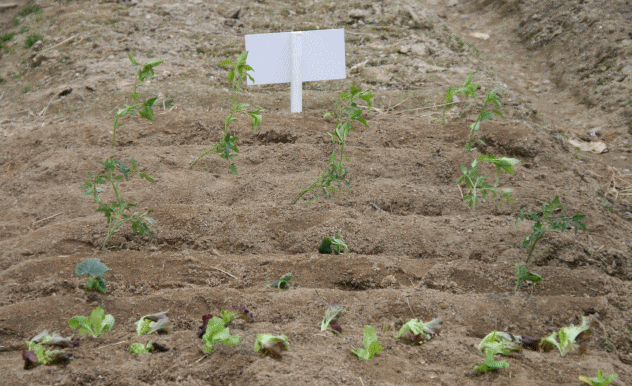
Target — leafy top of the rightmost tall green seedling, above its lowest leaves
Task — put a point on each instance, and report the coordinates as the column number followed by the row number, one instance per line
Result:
column 552, row 217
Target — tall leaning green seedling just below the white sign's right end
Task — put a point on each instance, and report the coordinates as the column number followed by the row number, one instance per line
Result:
column 345, row 111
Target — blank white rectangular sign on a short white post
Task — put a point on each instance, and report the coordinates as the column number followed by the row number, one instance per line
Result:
column 297, row 57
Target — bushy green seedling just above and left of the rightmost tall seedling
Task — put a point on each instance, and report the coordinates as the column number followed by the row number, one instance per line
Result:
column 476, row 186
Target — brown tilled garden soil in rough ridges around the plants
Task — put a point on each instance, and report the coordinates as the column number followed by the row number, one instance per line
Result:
column 563, row 70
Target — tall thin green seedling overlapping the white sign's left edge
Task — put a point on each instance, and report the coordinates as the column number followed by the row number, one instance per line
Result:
column 226, row 145
